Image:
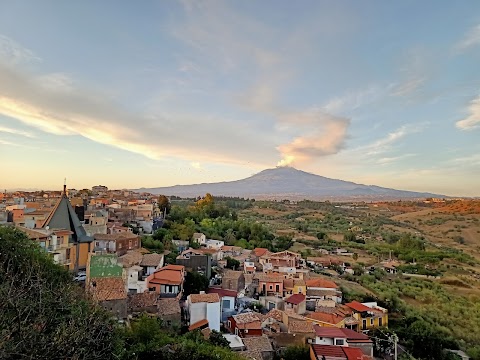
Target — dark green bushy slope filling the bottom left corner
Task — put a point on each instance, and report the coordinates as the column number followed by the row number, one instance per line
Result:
column 42, row 312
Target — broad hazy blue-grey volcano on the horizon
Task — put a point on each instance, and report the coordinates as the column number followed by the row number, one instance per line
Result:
column 289, row 183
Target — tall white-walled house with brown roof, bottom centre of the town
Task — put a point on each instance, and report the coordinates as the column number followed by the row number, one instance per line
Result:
column 204, row 307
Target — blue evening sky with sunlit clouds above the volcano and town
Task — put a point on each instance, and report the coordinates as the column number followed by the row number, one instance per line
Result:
column 158, row 93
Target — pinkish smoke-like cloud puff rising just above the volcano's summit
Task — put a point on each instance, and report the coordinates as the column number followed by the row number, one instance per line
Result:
column 324, row 134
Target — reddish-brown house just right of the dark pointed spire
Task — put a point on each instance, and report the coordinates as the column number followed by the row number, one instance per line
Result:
column 118, row 243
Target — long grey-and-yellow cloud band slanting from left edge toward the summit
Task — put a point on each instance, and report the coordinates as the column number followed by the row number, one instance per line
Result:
column 25, row 97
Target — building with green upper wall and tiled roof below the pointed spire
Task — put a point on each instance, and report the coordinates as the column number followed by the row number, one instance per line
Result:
column 105, row 281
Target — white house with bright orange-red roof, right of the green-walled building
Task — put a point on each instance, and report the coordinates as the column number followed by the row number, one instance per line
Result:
column 167, row 281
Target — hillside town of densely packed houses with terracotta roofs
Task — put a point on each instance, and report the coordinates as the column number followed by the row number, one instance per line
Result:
column 260, row 301
